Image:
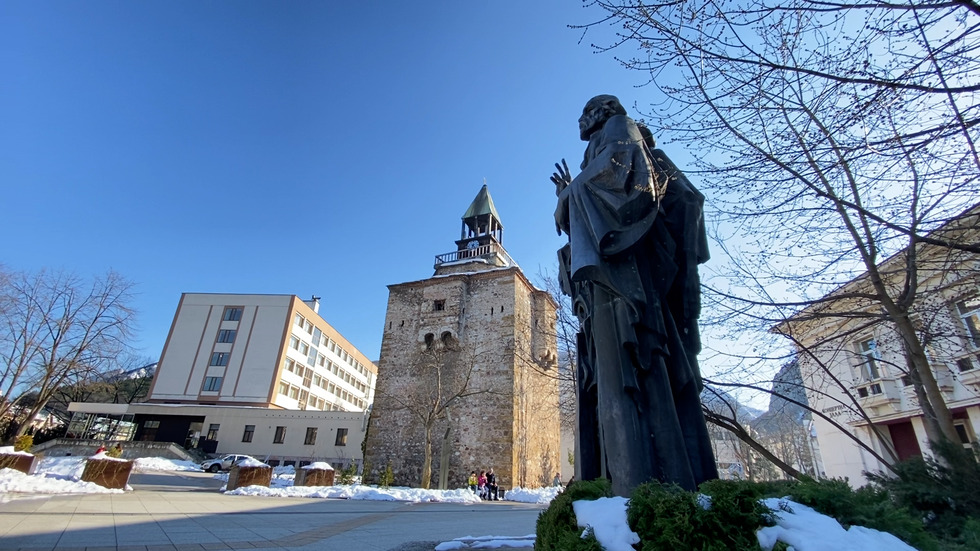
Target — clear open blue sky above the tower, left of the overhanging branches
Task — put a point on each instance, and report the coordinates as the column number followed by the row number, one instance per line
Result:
column 303, row 148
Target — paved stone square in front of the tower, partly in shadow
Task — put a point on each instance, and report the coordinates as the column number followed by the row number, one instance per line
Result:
column 185, row 511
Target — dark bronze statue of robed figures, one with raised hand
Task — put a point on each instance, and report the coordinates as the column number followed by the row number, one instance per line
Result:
column 636, row 236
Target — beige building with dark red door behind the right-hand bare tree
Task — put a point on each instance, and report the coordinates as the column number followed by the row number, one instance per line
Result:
column 854, row 370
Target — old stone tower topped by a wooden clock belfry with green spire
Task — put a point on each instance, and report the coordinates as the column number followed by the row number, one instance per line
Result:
column 468, row 369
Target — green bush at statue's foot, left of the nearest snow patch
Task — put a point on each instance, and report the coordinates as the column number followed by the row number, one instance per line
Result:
column 557, row 529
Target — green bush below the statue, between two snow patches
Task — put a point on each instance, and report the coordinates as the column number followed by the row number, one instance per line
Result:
column 668, row 517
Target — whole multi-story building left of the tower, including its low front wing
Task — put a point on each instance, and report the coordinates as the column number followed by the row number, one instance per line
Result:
column 261, row 375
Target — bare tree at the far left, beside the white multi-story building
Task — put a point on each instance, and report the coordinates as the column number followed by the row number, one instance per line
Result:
column 57, row 330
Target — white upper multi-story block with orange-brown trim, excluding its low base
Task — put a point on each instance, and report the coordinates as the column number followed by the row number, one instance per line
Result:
column 260, row 350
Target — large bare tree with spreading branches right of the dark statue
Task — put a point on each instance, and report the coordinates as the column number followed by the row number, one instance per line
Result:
column 831, row 136
